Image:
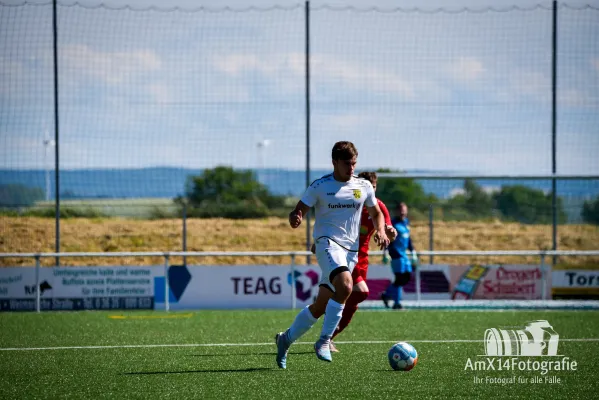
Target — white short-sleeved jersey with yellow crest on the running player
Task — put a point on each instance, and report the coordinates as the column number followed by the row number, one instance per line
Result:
column 338, row 208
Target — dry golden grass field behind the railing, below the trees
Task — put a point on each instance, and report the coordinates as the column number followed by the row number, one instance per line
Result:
column 30, row 234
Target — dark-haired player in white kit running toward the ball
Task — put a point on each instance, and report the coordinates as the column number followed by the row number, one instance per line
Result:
column 338, row 199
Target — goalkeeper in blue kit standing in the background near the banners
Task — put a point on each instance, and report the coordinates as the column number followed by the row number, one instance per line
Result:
column 401, row 264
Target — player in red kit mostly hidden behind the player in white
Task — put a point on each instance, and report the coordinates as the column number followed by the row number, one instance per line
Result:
column 360, row 290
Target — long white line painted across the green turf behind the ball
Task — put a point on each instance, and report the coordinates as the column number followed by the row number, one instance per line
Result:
column 142, row 346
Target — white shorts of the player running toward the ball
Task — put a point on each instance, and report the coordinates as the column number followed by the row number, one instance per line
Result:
column 331, row 256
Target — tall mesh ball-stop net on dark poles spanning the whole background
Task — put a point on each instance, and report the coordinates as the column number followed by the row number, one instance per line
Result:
column 149, row 98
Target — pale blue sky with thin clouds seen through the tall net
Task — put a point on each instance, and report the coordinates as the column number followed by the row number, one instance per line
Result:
column 461, row 92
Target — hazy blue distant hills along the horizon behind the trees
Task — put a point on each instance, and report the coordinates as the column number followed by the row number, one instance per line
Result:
column 163, row 182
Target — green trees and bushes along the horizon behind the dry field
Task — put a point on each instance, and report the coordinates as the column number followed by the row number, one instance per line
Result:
column 228, row 193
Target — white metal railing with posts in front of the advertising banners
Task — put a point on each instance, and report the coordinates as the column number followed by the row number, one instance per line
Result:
column 293, row 254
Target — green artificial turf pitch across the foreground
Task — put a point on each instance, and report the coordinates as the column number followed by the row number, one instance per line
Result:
column 231, row 355
